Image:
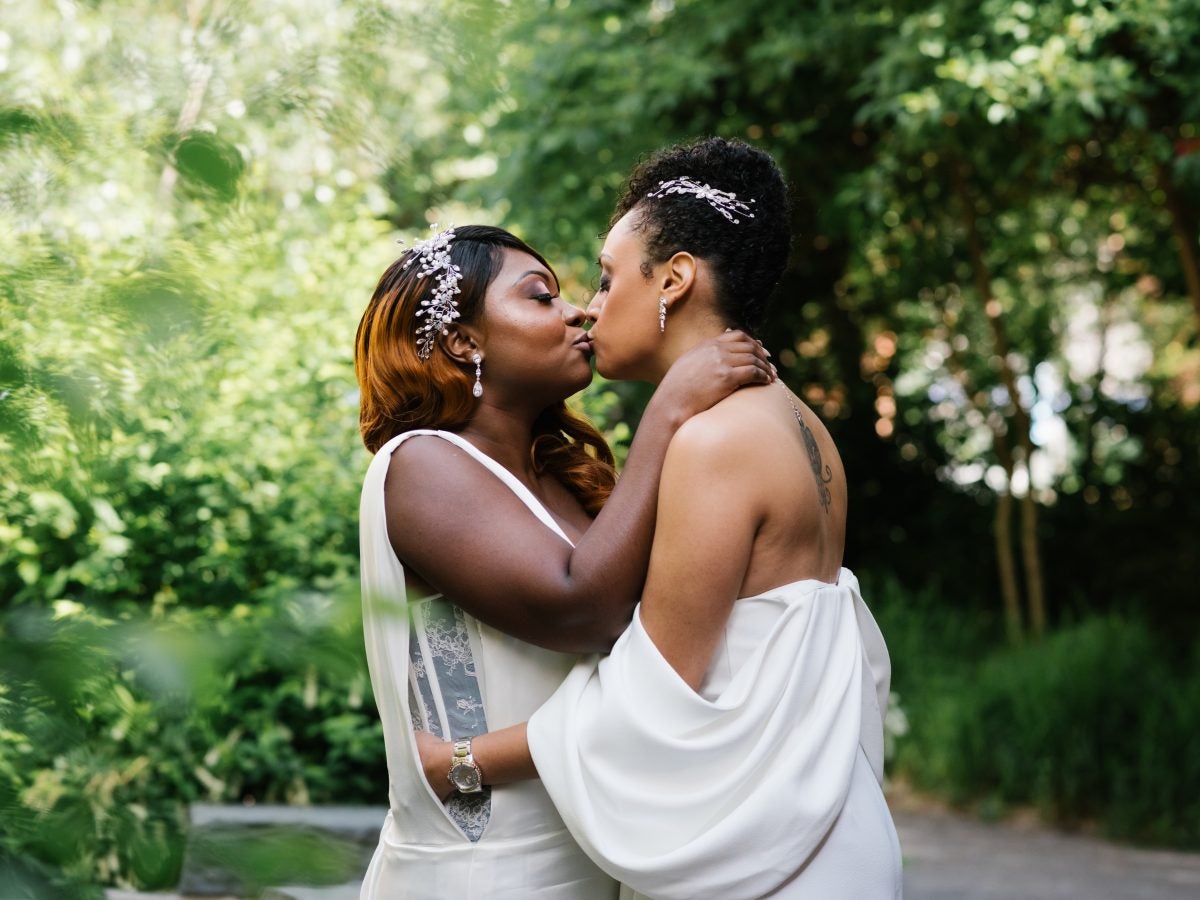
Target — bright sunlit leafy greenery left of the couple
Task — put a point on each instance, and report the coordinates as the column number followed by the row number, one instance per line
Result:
column 184, row 242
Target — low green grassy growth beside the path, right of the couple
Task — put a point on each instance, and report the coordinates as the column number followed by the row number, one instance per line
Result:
column 1094, row 725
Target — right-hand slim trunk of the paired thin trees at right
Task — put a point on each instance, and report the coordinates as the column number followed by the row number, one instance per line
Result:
column 1031, row 556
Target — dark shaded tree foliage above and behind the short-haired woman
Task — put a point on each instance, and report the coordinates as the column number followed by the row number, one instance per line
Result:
column 1058, row 128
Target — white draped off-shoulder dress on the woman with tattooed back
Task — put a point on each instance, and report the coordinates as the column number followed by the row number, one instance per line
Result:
column 767, row 783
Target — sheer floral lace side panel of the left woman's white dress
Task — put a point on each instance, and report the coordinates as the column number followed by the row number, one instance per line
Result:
column 445, row 698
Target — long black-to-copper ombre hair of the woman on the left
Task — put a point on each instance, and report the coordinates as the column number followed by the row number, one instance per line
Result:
column 400, row 392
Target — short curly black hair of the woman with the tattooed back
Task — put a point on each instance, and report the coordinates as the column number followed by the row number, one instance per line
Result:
column 748, row 259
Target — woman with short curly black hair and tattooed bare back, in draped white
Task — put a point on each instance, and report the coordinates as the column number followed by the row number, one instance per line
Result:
column 731, row 746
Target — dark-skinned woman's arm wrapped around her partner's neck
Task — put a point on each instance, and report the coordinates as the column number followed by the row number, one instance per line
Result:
column 470, row 537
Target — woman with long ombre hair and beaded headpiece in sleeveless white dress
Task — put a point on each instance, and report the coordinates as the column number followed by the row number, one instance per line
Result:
column 497, row 545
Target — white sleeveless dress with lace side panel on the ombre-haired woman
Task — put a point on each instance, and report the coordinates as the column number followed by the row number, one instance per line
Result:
column 436, row 669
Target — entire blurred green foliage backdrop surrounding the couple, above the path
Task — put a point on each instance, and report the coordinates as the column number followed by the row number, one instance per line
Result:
column 993, row 302
